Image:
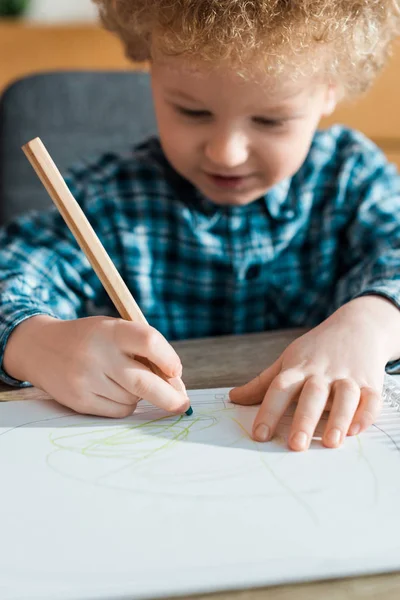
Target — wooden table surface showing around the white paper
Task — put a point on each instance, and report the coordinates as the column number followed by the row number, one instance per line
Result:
column 227, row 361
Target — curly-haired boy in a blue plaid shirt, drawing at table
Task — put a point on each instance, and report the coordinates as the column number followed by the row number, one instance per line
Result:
column 241, row 217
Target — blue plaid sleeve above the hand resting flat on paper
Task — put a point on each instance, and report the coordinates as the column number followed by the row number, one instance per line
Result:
column 370, row 243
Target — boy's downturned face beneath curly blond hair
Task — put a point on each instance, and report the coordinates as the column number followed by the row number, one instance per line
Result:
column 214, row 126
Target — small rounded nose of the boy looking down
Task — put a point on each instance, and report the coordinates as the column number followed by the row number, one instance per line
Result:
column 227, row 150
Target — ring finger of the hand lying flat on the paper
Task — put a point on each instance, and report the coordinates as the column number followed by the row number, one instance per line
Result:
column 346, row 397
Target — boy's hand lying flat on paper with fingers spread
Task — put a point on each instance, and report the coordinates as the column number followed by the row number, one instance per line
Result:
column 340, row 363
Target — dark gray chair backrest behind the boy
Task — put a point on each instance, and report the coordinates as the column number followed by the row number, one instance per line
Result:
column 77, row 115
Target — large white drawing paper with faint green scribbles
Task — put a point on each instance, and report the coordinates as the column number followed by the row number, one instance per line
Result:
column 153, row 506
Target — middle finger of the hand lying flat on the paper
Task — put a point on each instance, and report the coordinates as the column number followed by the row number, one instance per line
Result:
column 311, row 404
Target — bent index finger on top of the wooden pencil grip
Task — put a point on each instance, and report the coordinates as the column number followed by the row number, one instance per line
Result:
column 142, row 340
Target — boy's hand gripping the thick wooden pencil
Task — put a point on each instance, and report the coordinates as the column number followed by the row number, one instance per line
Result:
column 88, row 364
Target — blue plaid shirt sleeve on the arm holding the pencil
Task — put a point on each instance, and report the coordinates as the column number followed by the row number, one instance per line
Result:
column 42, row 271
